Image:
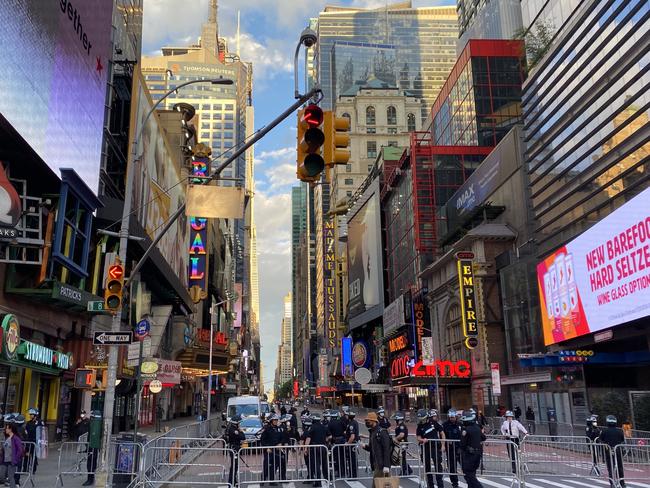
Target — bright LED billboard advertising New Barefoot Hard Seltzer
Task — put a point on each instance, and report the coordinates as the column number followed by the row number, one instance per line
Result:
column 601, row 278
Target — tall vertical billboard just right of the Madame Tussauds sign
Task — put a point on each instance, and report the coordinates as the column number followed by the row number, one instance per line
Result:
column 365, row 275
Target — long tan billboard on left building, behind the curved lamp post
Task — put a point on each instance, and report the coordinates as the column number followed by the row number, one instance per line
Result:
column 157, row 193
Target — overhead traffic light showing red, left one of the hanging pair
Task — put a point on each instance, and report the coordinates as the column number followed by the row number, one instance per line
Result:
column 310, row 163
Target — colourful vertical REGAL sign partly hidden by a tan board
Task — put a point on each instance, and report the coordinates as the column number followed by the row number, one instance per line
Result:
column 198, row 263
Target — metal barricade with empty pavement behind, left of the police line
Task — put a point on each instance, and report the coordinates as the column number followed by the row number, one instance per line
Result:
column 193, row 466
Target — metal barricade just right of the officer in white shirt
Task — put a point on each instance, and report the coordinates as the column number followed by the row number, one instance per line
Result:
column 566, row 457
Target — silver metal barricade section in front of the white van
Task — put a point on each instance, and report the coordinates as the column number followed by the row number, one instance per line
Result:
column 265, row 465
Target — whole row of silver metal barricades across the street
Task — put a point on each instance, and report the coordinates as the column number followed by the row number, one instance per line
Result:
column 208, row 462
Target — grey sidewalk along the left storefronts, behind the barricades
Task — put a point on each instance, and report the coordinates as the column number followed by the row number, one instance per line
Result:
column 48, row 469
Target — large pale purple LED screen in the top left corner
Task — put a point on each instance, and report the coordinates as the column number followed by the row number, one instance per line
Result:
column 54, row 60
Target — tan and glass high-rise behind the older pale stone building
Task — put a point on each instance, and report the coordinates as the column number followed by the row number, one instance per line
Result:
column 396, row 43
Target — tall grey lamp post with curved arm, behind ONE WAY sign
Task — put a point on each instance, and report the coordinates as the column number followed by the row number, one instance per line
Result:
column 109, row 396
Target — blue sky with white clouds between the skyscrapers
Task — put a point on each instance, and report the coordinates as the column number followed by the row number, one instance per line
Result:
column 269, row 31
